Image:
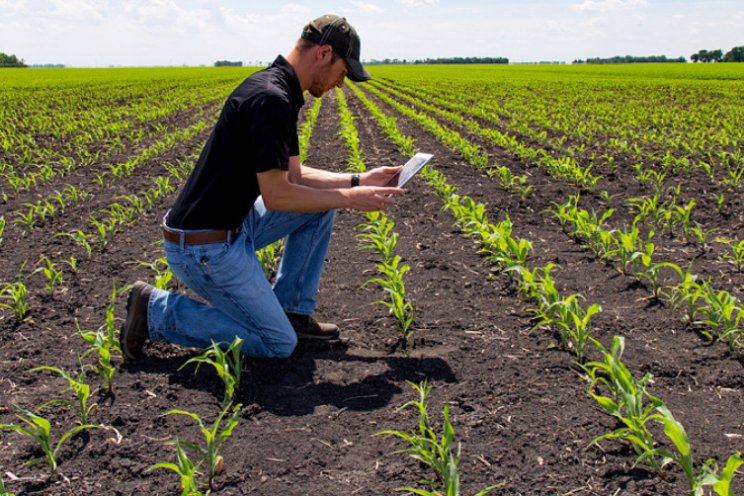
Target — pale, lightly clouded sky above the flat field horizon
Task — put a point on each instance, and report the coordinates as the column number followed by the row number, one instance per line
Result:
column 102, row 33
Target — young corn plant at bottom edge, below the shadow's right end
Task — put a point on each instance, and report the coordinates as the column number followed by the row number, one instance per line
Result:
column 440, row 453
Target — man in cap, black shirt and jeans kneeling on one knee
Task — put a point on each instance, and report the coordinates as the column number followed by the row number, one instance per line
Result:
column 248, row 190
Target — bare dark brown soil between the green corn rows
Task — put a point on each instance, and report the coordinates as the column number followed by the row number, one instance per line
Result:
column 519, row 405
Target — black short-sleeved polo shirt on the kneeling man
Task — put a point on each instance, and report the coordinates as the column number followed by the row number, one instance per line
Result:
column 256, row 132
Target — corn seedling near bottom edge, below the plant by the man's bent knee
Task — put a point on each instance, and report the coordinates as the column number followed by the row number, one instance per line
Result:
column 214, row 436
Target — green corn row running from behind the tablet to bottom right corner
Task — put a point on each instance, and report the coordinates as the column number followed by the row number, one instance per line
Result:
column 626, row 397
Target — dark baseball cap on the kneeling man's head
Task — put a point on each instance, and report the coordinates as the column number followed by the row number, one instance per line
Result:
column 337, row 32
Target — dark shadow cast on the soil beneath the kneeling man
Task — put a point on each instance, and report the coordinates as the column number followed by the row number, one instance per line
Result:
column 293, row 387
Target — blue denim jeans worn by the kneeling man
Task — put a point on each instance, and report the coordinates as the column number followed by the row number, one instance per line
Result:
column 241, row 301
